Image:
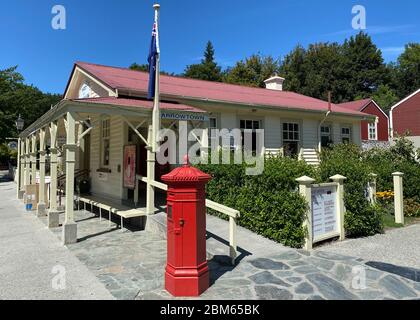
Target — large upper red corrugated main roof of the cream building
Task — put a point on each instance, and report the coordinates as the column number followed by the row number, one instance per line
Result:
column 122, row 78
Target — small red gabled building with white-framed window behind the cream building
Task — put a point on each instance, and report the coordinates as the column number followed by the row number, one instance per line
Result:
column 371, row 131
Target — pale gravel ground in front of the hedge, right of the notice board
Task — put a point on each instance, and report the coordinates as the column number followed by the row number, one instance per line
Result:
column 398, row 246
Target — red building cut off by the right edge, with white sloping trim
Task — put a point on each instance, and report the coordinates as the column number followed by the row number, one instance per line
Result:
column 405, row 117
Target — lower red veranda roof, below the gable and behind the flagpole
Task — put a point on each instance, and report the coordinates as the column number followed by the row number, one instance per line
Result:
column 139, row 103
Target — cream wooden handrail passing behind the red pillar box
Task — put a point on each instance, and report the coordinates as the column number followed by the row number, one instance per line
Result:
column 231, row 213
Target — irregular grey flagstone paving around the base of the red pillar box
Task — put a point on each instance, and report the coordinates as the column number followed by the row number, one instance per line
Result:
column 131, row 265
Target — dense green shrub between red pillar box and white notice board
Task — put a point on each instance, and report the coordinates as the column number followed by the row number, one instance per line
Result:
column 269, row 203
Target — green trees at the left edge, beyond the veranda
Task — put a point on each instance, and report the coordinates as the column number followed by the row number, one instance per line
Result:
column 18, row 98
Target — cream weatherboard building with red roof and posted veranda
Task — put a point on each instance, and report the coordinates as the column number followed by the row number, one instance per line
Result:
column 105, row 108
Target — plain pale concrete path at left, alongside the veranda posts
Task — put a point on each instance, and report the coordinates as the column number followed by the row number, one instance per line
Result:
column 32, row 259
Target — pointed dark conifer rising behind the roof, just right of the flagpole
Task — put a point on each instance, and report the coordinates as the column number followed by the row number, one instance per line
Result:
column 207, row 69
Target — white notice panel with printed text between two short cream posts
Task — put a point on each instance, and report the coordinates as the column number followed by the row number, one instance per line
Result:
column 324, row 211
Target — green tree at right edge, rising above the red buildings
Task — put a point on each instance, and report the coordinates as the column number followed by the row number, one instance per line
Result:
column 408, row 70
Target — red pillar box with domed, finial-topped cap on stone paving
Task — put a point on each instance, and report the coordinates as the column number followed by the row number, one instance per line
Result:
column 187, row 273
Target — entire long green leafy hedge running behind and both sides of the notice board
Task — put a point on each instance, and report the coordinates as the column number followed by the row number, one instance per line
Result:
column 271, row 206
